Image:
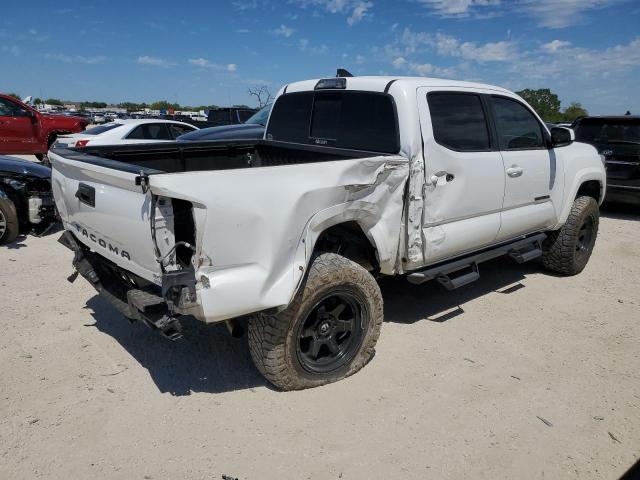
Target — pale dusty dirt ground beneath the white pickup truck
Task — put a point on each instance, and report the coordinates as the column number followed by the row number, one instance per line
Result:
column 520, row 375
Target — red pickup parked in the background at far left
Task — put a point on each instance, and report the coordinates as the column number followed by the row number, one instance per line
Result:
column 23, row 130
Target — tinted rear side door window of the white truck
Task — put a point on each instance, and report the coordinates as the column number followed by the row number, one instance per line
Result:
column 459, row 122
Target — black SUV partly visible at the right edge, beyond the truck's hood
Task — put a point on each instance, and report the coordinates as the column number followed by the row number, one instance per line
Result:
column 618, row 140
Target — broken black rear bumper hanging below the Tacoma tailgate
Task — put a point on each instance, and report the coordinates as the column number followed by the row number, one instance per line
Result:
column 133, row 296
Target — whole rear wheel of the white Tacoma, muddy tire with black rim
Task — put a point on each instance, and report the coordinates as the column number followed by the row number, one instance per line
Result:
column 327, row 333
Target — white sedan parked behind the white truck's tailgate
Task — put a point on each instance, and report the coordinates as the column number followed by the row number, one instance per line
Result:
column 122, row 132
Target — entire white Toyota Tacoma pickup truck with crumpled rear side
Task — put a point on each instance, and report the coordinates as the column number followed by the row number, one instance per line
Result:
column 356, row 178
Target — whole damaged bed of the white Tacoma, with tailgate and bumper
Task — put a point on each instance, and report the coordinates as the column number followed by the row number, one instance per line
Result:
column 218, row 229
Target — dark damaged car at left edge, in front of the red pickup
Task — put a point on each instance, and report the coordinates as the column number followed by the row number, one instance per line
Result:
column 26, row 202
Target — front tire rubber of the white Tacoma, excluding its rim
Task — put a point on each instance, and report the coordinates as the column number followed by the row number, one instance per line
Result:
column 560, row 248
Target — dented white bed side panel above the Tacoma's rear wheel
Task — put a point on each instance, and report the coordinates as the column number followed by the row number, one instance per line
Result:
column 259, row 225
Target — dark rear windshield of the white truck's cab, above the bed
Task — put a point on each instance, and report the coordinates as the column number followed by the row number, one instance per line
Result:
column 343, row 119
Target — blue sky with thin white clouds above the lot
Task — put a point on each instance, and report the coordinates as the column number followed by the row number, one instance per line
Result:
column 211, row 52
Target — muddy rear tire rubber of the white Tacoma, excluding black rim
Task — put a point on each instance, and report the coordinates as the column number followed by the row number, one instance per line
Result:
column 273, row 339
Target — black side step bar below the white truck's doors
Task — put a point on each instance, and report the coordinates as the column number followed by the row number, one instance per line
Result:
column 522, row 250
